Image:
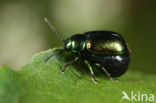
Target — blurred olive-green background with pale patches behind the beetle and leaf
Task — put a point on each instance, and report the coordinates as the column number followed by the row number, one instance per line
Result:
column 23, row 31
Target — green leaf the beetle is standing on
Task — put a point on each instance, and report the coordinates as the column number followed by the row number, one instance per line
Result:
column 40, row 82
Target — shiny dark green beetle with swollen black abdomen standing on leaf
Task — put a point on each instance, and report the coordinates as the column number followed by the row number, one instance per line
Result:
column 105, row 49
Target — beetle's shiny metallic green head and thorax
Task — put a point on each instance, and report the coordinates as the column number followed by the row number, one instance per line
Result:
column 75, row 43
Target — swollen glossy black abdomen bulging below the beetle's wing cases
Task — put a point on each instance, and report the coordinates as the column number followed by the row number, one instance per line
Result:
column 116, row 65
